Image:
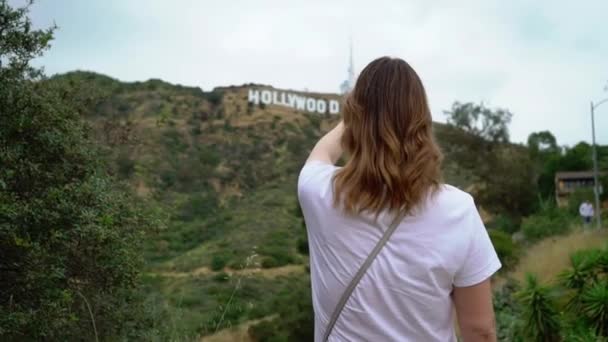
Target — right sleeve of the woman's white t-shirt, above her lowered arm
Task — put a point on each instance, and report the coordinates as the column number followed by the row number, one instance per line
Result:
column 481, row 260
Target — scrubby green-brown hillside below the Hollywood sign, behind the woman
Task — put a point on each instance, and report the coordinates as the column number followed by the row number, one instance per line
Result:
column 223, row 170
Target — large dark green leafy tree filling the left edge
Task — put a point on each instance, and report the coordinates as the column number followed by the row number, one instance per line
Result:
column 69, row 239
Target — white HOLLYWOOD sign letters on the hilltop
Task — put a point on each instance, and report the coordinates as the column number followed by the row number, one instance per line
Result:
column 292, row 100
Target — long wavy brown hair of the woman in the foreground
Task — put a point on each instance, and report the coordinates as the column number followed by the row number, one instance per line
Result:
column 394, row 162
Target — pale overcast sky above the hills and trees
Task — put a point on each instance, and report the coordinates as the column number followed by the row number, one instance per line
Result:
column 543, row 60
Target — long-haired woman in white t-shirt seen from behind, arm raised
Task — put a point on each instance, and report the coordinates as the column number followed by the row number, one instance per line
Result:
column 439, row 258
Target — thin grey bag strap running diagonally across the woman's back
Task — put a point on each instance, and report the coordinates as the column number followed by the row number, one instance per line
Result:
column 355, row 281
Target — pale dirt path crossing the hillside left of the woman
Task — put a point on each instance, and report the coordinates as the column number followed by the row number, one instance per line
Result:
column 205, row 271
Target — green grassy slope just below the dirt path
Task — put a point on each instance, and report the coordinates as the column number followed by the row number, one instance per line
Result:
column 196, row 304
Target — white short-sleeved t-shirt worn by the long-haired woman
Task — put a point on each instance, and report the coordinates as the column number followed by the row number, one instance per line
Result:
column 405, row 294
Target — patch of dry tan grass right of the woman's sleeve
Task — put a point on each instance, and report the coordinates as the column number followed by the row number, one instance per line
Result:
column 550, row 256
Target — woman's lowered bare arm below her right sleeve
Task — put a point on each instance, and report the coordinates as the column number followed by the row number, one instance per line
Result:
column 475, row 312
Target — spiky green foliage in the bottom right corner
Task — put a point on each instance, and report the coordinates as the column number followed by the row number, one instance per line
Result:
column 576, row 310
